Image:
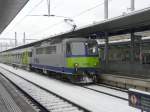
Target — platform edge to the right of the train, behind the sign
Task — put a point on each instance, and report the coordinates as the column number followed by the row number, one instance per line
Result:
column 124, row 81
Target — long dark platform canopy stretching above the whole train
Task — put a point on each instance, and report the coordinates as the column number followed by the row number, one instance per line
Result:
column 136, row 21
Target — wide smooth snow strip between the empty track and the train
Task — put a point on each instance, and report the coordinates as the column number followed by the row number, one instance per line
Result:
column 89, row 99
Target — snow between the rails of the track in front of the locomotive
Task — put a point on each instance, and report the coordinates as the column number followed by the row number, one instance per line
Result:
column 108, row 90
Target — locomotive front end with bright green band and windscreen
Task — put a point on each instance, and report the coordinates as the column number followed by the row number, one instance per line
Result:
column 82, row 60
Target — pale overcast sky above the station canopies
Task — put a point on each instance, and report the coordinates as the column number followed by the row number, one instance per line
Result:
column 83, row 12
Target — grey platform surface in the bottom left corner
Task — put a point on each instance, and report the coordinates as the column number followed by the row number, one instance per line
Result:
column 11, row 100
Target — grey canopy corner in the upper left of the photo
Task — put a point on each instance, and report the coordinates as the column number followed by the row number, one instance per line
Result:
column 8, row 10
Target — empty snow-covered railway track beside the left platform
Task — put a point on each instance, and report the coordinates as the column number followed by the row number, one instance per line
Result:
column 49, row 101
